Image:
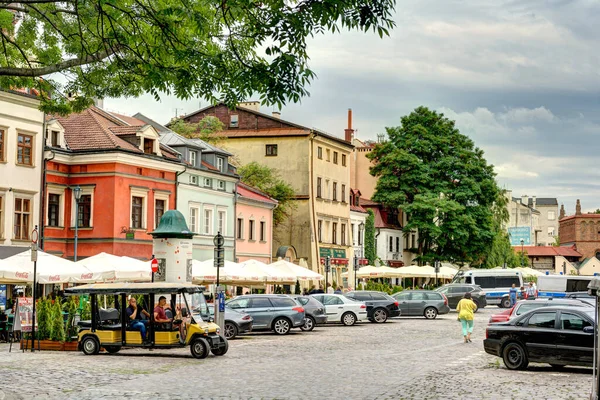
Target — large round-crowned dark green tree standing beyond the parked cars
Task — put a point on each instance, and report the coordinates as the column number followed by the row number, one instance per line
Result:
column 431, row 171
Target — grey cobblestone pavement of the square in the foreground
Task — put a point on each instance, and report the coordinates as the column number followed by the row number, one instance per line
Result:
column 407, row 358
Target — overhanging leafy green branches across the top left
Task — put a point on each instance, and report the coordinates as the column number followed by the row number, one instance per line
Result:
column 218, row 50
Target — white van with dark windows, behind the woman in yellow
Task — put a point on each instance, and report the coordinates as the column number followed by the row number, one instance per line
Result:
column 495, row 282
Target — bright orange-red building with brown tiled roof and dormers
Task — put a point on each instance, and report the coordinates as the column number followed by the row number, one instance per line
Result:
column 127, row 182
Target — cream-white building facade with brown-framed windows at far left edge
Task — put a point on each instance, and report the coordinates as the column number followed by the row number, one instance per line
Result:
column 21, row 165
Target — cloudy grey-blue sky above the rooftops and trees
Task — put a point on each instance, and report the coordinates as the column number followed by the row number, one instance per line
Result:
column 521, row 78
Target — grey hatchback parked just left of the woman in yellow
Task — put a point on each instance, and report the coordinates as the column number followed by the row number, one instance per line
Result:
column 427, row 303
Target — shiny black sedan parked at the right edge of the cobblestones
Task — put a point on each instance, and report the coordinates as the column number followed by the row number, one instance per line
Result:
column 555, row 335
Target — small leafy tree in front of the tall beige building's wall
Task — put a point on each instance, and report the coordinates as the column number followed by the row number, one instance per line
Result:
column 268, row 180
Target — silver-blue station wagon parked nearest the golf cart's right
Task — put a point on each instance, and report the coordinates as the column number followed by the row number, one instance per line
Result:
column 277, row 312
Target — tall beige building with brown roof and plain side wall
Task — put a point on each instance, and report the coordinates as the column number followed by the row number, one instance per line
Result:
column 315, row 164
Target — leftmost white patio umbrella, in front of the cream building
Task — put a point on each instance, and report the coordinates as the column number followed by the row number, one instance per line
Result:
column 51, row 269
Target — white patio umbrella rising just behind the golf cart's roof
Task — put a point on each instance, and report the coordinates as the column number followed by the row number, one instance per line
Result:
column 117, row 268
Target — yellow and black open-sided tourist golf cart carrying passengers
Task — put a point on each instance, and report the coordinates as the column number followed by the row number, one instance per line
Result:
column 111, row 328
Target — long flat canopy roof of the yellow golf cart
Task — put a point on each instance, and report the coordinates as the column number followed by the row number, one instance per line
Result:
column 138, row 288
